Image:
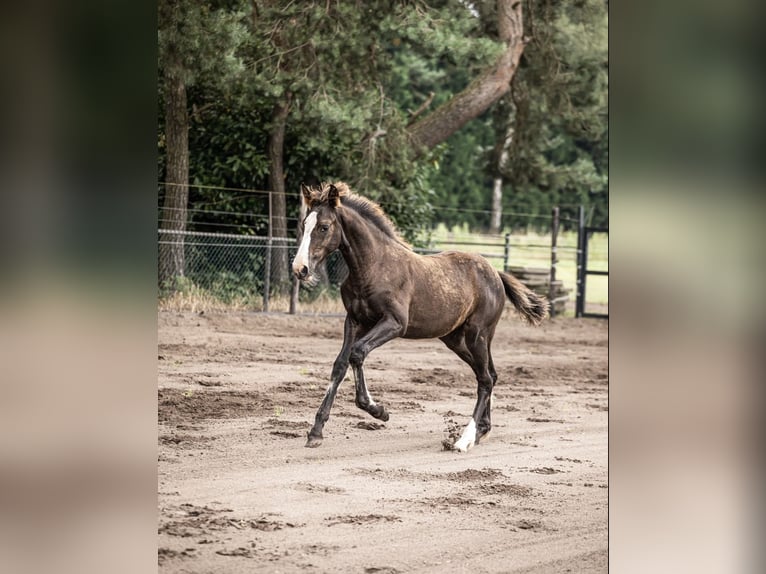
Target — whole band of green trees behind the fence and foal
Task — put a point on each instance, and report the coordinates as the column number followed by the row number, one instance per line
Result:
column 411, row 103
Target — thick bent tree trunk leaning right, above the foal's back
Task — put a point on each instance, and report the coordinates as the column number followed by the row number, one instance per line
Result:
column 483, row 91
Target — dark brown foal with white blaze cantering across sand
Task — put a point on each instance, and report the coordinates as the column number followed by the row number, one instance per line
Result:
column 391, row 292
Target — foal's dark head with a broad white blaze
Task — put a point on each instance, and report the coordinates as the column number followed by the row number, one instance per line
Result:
column 321, row 231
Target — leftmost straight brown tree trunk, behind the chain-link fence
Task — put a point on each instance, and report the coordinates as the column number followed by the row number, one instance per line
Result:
column 171, row 251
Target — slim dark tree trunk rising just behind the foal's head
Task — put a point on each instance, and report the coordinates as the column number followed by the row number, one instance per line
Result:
column 280, row 277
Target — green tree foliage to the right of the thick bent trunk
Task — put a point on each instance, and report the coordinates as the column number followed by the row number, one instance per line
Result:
column 560, row 150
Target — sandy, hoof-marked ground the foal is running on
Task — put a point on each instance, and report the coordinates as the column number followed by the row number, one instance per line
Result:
column 239, row 492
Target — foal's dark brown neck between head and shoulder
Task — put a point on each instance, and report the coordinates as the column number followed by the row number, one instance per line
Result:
column 364, row 245
